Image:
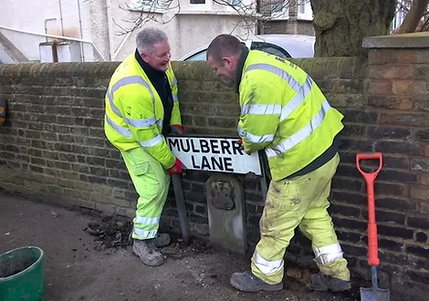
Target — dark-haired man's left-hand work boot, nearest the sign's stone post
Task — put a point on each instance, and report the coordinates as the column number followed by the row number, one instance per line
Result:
column 247, row 282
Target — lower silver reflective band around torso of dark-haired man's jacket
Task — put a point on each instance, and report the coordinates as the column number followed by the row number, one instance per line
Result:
column 301, row 135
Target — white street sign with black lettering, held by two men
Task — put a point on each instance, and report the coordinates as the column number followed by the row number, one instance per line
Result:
column 214, row 154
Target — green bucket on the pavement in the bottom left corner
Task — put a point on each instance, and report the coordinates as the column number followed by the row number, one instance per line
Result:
column 21, row 274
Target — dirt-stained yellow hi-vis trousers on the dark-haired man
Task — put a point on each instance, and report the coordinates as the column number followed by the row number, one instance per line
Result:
column 301, row 201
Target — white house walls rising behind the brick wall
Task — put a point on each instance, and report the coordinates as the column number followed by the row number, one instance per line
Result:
column 189, row 28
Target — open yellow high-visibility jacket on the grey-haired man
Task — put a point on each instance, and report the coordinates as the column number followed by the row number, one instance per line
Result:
column 134, row 112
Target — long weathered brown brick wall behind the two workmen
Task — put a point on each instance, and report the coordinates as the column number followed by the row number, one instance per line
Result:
column 52, row 147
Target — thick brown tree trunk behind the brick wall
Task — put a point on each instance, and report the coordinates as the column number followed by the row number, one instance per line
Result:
column 341, row 25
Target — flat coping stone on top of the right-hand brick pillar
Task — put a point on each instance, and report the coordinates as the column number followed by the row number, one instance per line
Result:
column 409, row 40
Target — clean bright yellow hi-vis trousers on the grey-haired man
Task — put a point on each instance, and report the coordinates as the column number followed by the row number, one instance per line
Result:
column 151, row 182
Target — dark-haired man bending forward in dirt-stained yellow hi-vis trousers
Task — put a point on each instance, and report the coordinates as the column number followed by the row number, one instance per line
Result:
column 284, row 113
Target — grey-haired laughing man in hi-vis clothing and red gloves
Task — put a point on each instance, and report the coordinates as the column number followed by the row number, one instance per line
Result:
column 142, row 108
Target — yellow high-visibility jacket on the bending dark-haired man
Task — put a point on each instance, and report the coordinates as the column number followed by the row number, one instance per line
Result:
column 284, row 112
